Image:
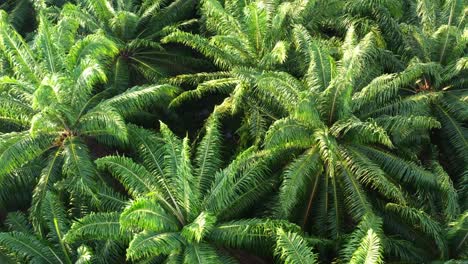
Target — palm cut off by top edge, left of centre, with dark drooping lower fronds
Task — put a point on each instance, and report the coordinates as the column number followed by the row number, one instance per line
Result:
column 136, row 27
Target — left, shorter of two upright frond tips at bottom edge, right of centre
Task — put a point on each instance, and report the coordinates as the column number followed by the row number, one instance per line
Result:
column 291, row 248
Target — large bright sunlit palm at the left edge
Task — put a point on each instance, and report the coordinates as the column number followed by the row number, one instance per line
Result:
column 55, row 104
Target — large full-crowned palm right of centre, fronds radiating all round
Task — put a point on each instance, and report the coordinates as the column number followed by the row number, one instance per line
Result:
column 347, row 147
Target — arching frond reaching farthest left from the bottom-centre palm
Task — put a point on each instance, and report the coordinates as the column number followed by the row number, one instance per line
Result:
column 97, row 226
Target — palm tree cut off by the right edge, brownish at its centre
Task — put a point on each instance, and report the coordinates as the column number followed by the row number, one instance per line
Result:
column 438, row 37
